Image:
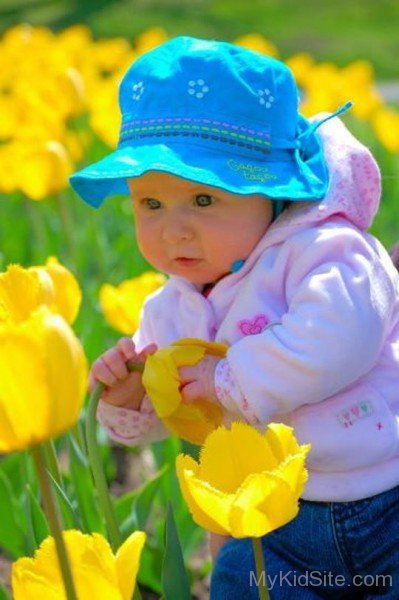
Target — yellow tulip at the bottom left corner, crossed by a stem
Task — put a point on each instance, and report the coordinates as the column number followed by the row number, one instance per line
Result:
column 97, row 572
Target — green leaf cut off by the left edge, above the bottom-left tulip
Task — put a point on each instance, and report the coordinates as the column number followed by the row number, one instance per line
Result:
column 12, row 537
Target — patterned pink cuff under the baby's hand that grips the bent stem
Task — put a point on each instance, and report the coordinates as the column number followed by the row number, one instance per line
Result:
column 128, row 426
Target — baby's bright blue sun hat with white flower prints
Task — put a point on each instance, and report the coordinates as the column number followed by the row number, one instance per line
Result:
column 213, row 113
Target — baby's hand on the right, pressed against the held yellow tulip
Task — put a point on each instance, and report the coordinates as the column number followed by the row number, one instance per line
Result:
column 198, row 381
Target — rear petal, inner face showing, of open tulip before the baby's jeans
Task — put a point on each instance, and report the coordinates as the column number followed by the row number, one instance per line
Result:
column 228, row 457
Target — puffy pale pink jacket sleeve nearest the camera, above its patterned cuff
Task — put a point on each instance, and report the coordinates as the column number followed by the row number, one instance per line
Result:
column 339, row 297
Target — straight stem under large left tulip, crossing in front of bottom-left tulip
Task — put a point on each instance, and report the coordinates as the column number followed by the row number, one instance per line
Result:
column 52, row 515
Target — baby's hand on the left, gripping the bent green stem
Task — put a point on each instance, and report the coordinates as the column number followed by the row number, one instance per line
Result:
column 122, row 387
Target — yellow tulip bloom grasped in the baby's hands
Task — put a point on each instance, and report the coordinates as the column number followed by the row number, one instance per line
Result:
column 193, row 421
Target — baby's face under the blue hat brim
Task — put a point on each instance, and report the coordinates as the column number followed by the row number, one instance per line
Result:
column 192, row 230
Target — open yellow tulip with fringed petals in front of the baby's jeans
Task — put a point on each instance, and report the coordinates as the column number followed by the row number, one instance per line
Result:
column 246, row 483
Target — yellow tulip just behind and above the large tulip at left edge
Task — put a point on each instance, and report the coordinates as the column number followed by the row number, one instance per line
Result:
column 24, row 290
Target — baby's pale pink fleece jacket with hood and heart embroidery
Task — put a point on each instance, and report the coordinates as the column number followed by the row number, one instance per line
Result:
column 312, row 321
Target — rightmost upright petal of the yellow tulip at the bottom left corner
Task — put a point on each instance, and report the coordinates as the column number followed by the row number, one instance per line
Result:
column 128, row 561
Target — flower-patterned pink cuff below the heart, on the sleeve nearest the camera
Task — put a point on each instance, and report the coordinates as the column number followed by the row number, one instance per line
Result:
column 229, row 394
